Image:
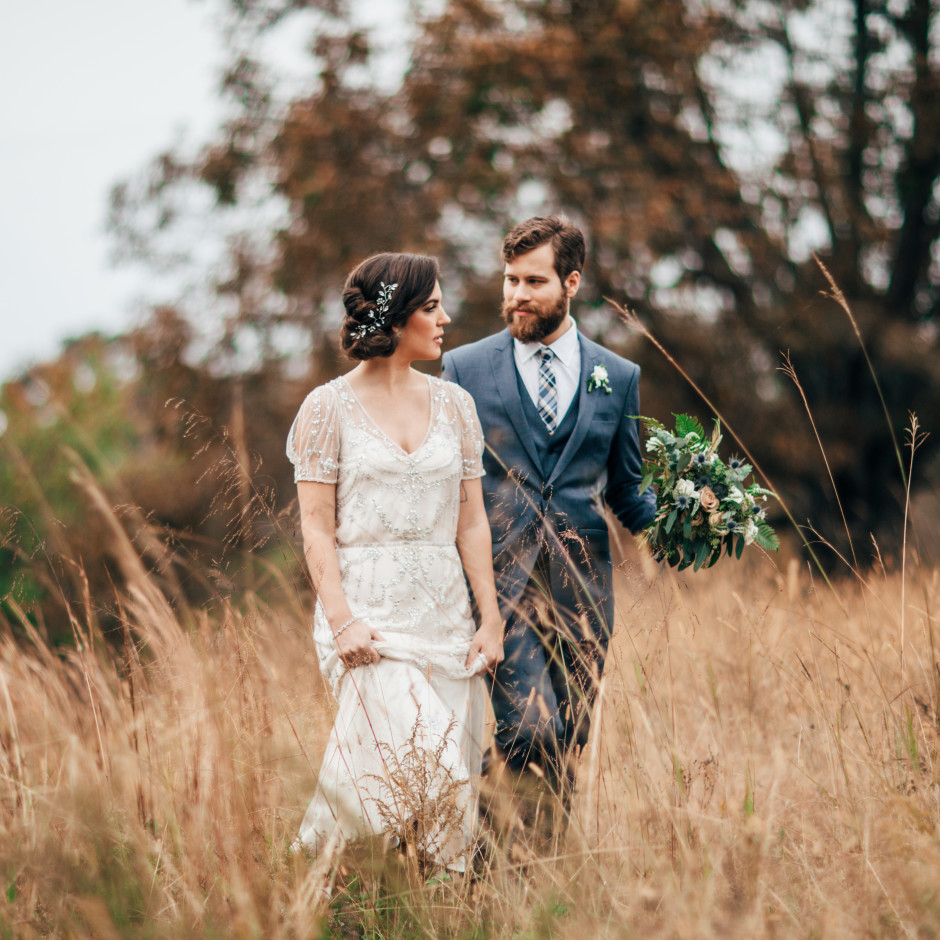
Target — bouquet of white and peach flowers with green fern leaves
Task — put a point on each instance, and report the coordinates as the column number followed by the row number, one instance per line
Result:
column 702, row 503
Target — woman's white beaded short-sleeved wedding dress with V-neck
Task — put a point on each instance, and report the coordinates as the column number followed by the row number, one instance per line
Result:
column 406, row 743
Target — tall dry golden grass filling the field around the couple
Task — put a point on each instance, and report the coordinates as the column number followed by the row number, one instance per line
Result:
column 764, row 763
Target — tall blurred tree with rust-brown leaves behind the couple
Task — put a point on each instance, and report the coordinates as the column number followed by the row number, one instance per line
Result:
column 707, row 148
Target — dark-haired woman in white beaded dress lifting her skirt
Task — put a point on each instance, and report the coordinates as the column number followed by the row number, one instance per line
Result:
column 388, row 464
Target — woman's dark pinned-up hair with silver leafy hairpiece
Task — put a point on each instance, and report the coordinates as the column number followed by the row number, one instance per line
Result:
column 375, row 311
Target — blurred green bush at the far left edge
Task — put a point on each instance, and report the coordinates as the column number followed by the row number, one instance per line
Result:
column 67, row 413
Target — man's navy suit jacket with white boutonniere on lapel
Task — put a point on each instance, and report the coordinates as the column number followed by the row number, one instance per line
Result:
column 601, row 463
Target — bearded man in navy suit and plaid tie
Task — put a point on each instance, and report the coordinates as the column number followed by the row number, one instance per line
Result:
column 561, row 443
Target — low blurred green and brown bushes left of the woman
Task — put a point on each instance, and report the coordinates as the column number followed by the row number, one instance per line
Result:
column 173, row 448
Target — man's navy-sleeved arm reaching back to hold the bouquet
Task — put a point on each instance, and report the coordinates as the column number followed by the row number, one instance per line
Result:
column 635, row 510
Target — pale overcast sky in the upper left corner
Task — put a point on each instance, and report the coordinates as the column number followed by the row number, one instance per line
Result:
column 89, row 91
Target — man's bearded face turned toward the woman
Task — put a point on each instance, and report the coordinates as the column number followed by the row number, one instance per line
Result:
column 535, row 302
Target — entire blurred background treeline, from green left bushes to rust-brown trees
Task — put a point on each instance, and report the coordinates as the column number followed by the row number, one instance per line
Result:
column 707, row 149
